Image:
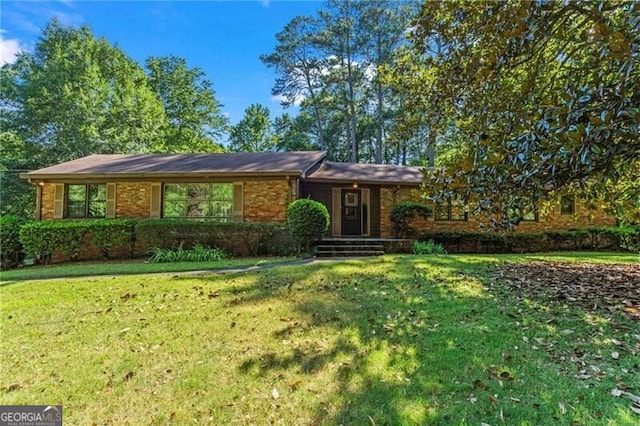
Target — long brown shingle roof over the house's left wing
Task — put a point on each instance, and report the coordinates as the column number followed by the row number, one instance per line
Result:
column 161, row 165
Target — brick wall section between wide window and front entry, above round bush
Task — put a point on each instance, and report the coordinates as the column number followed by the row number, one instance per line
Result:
column 267, row 201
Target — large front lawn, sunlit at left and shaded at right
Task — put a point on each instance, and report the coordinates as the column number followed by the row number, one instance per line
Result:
column 391, row 340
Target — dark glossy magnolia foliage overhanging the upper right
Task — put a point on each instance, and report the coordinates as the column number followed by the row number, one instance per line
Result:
column 545, row 94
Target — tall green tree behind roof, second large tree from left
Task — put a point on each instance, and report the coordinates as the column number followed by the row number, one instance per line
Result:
column 193, row 113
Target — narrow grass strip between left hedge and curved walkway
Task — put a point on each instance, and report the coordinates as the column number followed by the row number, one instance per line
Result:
column 119, row 267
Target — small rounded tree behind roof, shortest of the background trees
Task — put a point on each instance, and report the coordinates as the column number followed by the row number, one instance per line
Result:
column 253, row 132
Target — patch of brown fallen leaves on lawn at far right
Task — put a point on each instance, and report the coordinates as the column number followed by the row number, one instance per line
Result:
column 598, row 288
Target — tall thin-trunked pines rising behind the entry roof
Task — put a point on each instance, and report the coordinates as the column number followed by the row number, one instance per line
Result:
column 329, row 64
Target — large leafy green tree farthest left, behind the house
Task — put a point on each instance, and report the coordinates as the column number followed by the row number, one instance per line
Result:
column 77, row 95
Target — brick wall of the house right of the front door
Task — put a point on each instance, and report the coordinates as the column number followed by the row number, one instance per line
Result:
column 583, row 218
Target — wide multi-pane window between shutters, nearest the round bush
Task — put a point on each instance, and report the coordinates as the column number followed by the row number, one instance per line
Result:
column 205, row 200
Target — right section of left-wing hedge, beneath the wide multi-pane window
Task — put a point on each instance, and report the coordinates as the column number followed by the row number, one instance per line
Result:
column 237, row 239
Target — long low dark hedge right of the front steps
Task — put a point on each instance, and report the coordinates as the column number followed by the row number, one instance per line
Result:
column 600, row 238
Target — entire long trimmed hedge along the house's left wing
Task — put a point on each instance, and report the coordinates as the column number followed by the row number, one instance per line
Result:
column 115, row 237
